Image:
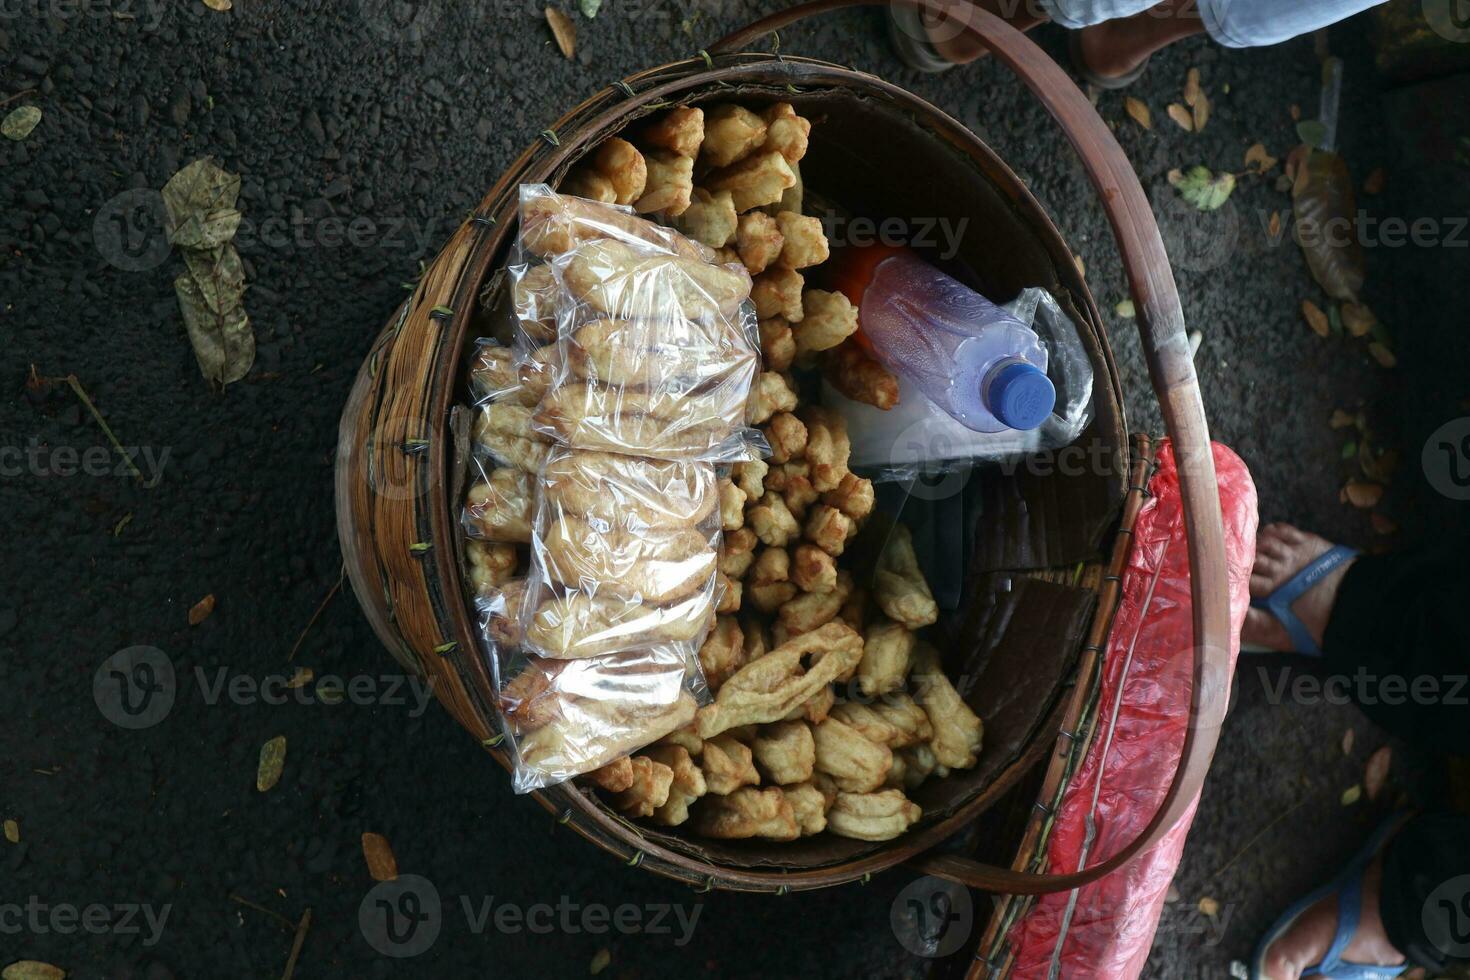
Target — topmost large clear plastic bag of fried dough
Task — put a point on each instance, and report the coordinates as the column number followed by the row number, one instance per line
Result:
column 658, row 347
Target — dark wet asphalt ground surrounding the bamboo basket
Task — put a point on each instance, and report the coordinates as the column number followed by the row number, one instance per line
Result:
column 326, row 117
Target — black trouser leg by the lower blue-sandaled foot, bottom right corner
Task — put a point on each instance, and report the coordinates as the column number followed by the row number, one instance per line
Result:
column 1425, row 900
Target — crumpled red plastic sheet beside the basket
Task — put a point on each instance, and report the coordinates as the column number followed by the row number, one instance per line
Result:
column 1109, row 929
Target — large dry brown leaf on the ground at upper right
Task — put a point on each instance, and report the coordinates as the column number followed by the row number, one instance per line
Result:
column 1325, row 226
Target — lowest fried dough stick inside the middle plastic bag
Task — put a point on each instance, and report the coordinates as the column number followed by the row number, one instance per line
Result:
column 578, row 625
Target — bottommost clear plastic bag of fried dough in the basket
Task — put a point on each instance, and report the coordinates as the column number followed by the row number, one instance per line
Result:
column 567, row 718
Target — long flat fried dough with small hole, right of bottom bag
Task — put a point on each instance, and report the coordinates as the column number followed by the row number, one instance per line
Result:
column 778, row 682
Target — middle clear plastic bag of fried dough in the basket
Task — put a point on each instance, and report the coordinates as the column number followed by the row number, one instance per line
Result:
column 624, row 555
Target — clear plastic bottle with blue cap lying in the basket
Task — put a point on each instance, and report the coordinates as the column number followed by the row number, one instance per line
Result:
column 971, row 358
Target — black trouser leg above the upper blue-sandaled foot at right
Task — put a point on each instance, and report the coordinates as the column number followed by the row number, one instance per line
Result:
column 1400, row 638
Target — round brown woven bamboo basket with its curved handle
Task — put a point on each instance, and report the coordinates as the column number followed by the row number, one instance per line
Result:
column 1039, row 594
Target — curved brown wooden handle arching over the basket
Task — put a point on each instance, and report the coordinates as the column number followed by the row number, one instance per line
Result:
column 1171, row 368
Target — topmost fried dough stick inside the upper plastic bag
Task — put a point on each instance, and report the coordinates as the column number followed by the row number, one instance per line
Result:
column 556, row 224
